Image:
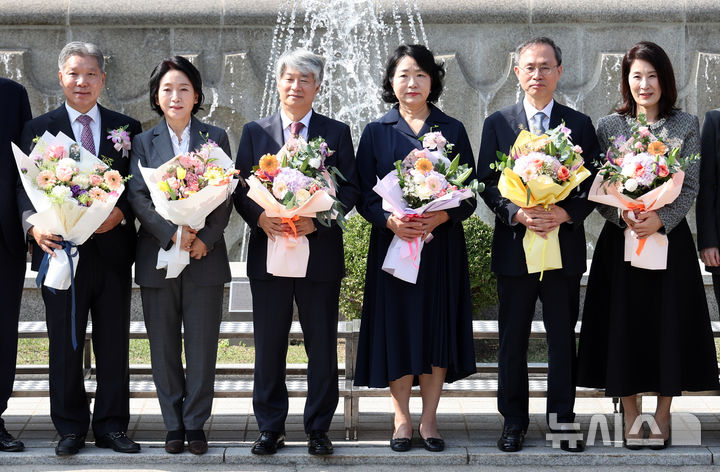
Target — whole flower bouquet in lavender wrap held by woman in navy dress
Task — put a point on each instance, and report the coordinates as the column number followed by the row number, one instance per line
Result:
column 426, row 180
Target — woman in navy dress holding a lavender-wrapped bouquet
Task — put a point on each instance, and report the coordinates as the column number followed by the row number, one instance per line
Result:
column 422, row 332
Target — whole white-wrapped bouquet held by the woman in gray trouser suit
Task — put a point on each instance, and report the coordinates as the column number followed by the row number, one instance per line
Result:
column 185, row 190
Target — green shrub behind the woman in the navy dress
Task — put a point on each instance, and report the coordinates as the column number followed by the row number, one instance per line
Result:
column 357, row 238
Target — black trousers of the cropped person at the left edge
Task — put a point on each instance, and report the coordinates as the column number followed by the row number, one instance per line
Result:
column 12, row 276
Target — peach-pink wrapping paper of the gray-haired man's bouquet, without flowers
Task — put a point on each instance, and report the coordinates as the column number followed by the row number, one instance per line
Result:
column 288, row 256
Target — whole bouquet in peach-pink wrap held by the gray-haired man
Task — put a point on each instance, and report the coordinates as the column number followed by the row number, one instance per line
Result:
column 291, row 184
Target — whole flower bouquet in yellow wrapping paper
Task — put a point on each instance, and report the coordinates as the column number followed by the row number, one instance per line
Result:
column 541, row 170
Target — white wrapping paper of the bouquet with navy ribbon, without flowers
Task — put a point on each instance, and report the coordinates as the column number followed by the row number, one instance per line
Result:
column 75, row 223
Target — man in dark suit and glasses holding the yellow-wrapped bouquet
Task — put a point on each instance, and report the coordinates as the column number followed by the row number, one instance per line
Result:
column 538, row 69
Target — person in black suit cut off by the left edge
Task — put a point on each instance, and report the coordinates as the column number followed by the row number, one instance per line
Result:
column 16, row 111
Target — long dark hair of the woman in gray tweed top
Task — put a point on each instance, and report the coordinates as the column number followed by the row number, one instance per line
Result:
column 649, row 52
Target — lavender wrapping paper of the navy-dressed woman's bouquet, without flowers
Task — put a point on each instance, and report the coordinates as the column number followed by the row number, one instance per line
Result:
column 402, row 259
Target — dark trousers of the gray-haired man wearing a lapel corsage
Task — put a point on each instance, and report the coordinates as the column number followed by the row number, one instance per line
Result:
column 103, row 291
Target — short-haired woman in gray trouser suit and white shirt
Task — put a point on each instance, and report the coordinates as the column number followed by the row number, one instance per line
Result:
column 194, row 298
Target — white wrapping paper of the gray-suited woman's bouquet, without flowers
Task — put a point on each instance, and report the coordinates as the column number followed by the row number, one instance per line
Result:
column 190, row 211
